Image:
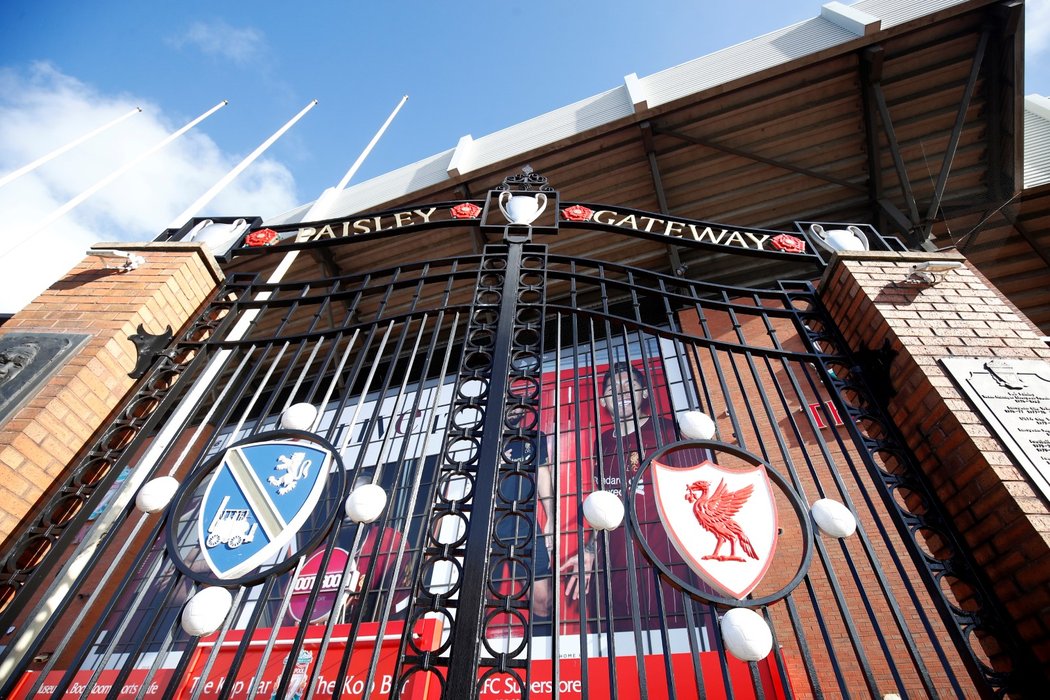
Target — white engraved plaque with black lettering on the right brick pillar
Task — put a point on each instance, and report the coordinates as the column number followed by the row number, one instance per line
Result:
column 1014, row 397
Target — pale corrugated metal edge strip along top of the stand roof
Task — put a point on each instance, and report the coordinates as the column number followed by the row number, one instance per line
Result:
column 738, row 62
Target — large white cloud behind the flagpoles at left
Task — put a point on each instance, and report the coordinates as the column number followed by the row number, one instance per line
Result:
column 43, row 110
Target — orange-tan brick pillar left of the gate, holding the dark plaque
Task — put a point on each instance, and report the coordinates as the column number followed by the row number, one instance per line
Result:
column 45, row 436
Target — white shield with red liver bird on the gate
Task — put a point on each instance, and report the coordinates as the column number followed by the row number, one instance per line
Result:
column 723, row 522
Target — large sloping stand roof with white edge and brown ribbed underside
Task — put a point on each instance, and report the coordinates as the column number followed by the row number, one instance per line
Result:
column 783, row 145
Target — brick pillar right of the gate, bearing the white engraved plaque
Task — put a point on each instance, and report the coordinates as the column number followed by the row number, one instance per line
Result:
column 1001, row 517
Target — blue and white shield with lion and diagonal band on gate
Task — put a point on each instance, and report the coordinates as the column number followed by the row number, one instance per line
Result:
column 257, row 501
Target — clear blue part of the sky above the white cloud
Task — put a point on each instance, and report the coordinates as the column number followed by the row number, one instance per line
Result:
column 469, row 68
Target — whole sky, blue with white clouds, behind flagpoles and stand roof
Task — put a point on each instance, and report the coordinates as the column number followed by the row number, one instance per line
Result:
column 469, row 68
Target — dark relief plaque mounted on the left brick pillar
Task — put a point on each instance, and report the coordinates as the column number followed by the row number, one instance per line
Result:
column 28, row 360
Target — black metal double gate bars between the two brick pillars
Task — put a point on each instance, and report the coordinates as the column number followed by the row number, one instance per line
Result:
column 488, row 396
